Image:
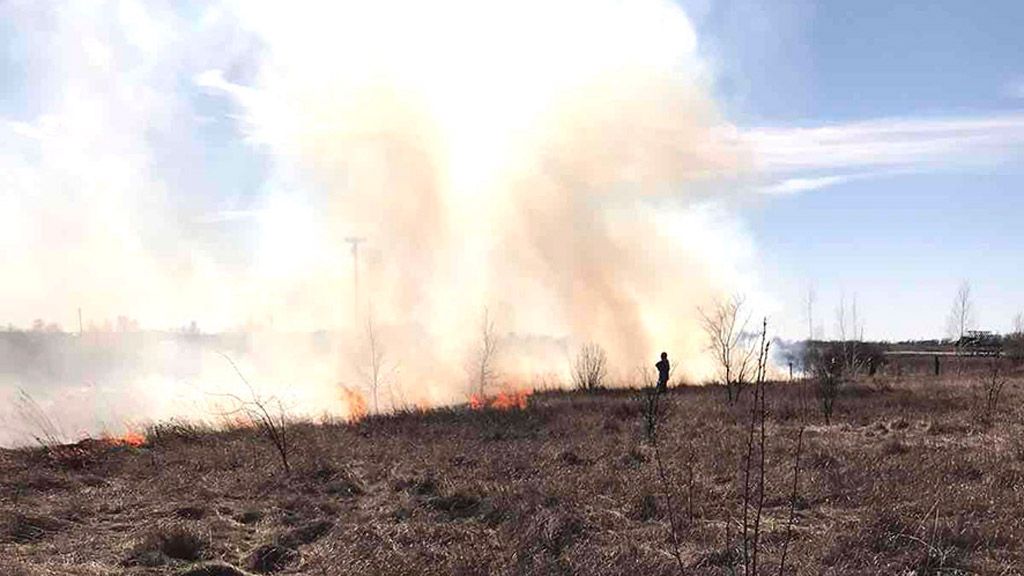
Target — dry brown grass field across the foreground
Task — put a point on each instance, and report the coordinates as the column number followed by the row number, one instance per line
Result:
column 913, row 476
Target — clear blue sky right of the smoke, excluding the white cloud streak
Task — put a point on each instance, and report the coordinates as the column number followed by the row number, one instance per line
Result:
column 899, row 240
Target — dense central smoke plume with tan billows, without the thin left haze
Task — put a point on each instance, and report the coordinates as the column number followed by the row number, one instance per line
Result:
column 532, row 158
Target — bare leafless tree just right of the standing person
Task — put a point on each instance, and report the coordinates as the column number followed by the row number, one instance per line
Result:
column 734, row 348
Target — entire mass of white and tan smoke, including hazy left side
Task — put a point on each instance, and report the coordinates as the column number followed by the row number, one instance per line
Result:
column 561, row 167
